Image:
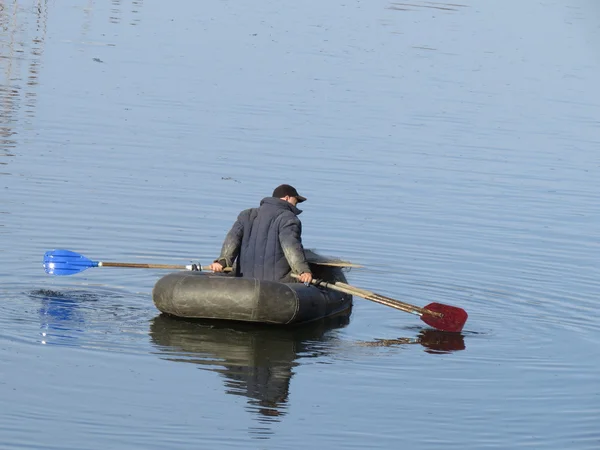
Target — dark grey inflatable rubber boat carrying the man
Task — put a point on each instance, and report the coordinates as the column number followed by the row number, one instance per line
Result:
column 202, row 296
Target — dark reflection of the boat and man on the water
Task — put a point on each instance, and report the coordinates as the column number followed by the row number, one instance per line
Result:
column 256, row 360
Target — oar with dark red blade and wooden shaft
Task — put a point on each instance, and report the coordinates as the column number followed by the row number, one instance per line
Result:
column 437, row 315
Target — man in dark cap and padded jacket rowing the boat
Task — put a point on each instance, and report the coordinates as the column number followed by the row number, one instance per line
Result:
column 267, row 241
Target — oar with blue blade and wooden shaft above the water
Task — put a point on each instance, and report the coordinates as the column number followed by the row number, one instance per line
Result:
column 66, row 262
